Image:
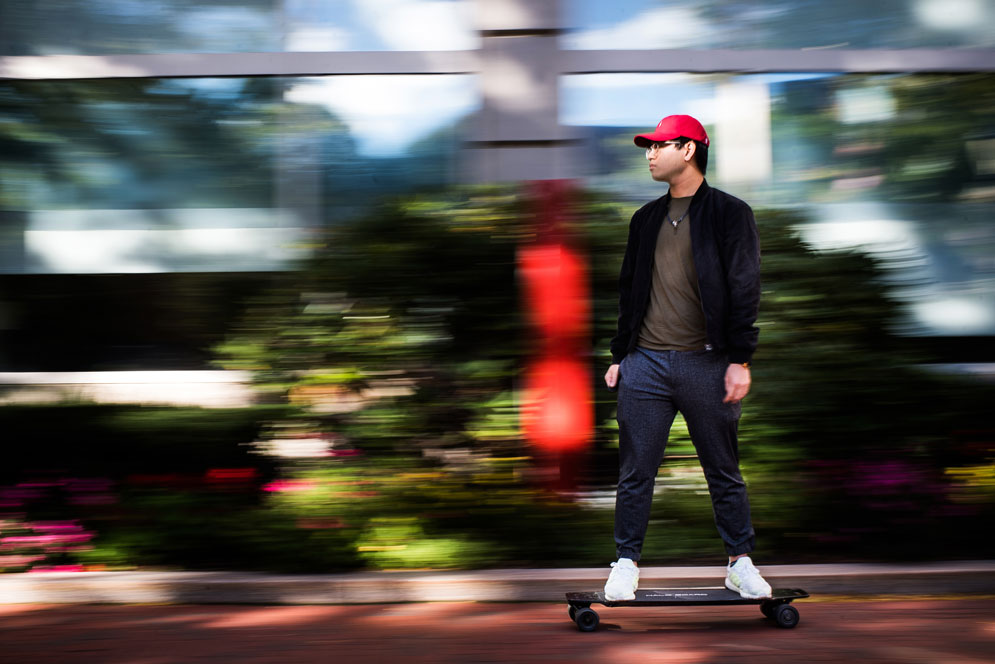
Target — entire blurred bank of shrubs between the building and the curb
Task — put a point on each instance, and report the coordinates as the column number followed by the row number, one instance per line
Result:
column 396, row 350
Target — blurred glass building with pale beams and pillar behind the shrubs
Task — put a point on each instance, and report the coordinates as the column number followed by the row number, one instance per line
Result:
column 159, row 159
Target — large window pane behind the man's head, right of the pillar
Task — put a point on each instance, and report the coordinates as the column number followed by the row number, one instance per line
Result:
column 901, row 165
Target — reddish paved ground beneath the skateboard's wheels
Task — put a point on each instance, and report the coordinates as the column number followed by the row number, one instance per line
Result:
column 945, row 630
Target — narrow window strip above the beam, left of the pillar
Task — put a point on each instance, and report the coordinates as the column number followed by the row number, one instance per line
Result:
column 96, row 27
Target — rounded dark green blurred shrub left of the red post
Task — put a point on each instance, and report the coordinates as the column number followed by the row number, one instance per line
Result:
column 404, row 331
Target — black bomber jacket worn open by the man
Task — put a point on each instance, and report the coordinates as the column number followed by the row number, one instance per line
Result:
column 726, row 250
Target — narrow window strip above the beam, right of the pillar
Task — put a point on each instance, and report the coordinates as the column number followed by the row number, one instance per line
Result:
column 646, row 24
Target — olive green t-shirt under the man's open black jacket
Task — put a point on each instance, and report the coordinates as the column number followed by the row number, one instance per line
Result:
column 674, row 319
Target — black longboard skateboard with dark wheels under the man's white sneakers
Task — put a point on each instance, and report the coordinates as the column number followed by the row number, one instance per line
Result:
column 777, row 608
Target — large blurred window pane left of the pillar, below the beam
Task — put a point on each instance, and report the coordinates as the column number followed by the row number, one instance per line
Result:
column 222, row 174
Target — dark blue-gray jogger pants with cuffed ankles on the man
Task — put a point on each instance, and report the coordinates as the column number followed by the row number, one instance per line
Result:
column 653, row 386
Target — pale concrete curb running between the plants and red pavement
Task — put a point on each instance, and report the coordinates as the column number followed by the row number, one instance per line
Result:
column 502, row 585
